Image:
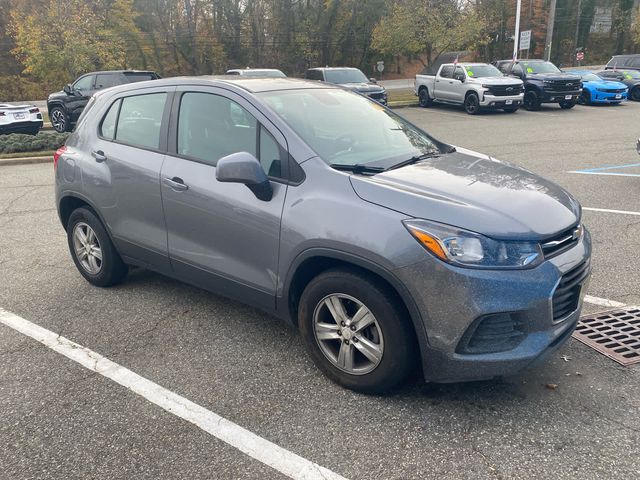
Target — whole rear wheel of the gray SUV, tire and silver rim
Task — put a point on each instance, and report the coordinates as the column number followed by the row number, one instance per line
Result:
column 103, row 272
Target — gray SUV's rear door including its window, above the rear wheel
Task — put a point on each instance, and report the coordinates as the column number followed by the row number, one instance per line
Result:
column 124, row 179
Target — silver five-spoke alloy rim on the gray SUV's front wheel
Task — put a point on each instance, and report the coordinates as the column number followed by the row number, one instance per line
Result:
column 348, row 334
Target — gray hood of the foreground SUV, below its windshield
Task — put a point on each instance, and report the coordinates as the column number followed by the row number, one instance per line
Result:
column 476, row 192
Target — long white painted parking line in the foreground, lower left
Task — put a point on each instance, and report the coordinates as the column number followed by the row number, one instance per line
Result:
column 264, row 451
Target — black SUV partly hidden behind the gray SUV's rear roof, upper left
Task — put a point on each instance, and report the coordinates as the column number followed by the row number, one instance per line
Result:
column 66, row 105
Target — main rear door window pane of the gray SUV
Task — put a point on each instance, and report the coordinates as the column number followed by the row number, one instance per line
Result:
column 140, row 120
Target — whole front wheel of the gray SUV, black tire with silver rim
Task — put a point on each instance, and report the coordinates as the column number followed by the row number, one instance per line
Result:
column 389, row 331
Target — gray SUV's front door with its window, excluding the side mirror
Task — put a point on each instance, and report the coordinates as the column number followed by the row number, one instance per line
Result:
column 220, row 236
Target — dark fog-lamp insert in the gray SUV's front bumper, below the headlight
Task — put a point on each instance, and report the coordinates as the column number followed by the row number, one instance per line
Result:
column 497, row 332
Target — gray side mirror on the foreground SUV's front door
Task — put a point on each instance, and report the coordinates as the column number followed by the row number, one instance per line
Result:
column 242, row 167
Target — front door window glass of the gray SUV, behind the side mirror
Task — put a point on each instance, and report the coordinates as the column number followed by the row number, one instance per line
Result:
column 211, row 127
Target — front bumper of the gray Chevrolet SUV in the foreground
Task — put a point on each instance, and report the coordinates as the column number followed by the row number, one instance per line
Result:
column 466, row 297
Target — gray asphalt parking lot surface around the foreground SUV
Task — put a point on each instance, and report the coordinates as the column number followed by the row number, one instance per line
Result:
column 574, row 416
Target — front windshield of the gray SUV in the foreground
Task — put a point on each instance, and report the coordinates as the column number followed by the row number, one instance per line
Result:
column 347, row 129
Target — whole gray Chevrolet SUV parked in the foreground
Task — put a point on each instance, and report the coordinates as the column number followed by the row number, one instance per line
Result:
column 388, row 249
